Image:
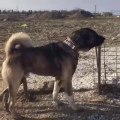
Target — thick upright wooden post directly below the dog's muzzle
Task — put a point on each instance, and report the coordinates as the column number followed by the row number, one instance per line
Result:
column 98, row 58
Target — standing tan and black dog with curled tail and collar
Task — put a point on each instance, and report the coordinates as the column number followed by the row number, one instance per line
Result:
column 55, row 59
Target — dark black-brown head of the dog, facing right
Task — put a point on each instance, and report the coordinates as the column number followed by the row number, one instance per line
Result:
column 86, row 38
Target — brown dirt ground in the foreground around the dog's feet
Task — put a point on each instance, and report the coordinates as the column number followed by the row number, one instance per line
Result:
column 91, row 107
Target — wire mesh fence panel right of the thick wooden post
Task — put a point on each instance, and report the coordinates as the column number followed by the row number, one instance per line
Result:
column 110, row 63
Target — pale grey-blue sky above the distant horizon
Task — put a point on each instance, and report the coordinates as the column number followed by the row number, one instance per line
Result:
column 89, row 5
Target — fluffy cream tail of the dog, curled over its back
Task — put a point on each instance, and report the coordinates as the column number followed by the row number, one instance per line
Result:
column 17, row 40
